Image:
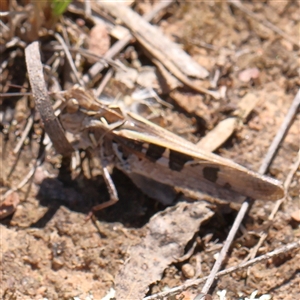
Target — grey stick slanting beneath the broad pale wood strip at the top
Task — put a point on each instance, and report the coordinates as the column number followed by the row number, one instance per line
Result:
column 118, row 46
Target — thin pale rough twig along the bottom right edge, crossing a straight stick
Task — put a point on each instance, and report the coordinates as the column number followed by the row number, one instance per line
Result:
column 196, row 282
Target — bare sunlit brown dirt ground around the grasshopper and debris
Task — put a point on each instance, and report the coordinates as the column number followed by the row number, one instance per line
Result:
column 50, row 251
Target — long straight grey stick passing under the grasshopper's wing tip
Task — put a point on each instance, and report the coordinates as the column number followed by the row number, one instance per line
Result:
column 264, row 166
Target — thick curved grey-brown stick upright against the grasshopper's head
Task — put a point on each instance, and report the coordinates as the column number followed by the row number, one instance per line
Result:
column 42, row 101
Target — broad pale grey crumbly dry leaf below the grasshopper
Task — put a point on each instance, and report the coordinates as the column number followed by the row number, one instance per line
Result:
column 168, row 232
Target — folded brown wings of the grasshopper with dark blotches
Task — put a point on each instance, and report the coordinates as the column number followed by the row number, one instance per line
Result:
column 163, row 156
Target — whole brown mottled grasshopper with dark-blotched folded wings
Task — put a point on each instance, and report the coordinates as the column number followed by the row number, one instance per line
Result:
column 139, row 147
